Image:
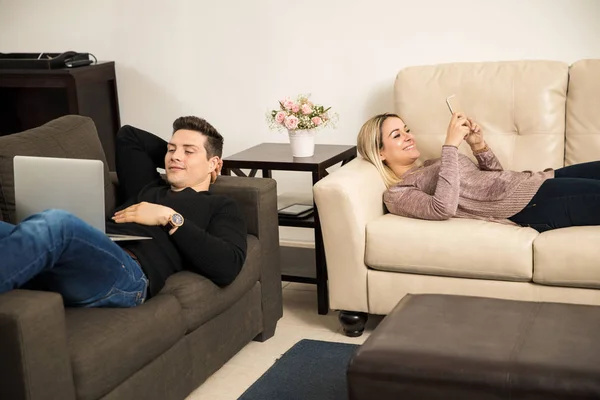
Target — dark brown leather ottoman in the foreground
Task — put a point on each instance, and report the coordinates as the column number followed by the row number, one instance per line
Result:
column 457, row 347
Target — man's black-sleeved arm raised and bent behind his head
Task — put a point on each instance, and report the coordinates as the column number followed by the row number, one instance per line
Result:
column 138, row 154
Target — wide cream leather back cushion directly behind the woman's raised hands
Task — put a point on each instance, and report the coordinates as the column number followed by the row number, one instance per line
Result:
column 519, row 104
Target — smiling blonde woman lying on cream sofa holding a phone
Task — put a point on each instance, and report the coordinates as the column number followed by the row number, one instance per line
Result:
column 454, row 186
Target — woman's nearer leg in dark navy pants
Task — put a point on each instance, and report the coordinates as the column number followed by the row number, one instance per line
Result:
column 560, row 203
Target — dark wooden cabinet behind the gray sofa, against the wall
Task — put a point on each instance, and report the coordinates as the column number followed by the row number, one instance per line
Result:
column 31, row 97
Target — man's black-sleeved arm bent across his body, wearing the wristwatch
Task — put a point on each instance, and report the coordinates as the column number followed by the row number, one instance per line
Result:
column 218, row 252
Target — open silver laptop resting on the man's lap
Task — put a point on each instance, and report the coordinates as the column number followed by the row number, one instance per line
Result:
column 73, row 185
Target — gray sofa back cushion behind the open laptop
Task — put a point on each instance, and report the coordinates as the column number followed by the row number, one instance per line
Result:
column 71, row 136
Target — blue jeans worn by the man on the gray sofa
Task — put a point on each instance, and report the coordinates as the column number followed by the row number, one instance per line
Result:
column 68, row 256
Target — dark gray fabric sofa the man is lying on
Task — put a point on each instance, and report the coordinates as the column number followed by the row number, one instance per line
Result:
column 162, row 349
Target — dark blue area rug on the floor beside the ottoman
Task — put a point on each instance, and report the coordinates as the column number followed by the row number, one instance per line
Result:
column 310, row 370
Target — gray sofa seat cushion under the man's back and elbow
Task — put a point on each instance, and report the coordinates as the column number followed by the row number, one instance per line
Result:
column 202, row 300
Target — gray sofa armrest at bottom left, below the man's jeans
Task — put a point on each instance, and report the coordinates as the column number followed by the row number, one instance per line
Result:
column 33, row 347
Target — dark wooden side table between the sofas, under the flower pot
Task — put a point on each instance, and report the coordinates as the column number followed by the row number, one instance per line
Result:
column 269, row 157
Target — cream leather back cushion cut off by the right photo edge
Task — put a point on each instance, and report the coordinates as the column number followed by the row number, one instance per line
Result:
column 583, row 113
